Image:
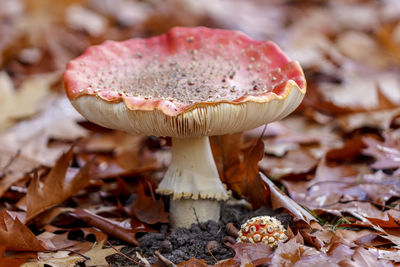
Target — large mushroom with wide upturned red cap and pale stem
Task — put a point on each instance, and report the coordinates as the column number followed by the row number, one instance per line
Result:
column 188, row 84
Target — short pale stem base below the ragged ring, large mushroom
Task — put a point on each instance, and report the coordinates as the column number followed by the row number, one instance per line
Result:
column 184, row 212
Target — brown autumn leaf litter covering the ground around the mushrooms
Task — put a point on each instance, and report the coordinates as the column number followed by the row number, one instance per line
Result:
column 72, row 192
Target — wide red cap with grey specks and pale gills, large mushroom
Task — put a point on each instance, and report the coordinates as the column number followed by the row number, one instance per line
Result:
column 181, row 71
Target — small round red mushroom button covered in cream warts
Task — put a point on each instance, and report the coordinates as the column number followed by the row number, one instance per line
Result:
column 264, row 229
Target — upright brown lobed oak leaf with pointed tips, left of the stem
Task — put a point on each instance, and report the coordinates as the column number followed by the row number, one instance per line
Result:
column 57, row 186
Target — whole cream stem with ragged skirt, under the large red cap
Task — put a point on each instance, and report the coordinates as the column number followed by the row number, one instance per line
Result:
column 193, row 181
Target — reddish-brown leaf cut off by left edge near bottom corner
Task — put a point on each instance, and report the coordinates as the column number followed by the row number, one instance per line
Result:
column 15, row 236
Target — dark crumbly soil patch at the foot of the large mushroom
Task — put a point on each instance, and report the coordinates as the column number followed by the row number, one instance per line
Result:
column 206, row 241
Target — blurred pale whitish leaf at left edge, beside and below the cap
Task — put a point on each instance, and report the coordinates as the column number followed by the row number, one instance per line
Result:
column 31, row 136
